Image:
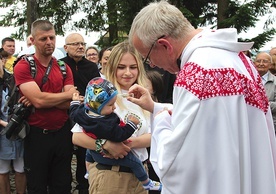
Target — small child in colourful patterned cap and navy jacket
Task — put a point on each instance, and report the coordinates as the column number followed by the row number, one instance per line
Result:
column 97, row 118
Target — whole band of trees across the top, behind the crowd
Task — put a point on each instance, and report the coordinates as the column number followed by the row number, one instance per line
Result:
column 113, row 18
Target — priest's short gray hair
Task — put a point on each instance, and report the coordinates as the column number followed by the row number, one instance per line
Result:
column 158, row 19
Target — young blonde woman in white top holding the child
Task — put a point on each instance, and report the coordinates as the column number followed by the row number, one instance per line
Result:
column 125, row 68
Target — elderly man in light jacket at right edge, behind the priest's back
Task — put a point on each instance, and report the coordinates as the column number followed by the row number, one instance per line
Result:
column 263, row 62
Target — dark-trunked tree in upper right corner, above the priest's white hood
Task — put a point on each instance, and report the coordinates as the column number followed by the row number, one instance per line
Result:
column 244, row 16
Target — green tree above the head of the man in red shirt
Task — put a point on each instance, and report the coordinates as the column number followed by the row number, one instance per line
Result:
column 23, row 12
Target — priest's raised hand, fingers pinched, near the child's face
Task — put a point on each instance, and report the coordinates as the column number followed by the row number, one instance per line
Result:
column 141, row 96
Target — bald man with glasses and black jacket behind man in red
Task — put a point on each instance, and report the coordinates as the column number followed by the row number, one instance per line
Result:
column 83, row 71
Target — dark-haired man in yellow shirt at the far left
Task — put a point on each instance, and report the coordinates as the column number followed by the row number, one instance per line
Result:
column 8, row 44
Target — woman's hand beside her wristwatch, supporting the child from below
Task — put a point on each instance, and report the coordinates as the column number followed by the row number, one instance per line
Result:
column 115, row 149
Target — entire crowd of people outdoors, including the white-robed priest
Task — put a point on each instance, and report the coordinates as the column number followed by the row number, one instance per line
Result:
column 172, row 109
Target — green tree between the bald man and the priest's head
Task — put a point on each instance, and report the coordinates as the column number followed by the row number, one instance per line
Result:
column 112, row 17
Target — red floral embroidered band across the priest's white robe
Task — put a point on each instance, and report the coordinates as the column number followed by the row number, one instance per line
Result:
column 209, row 83
